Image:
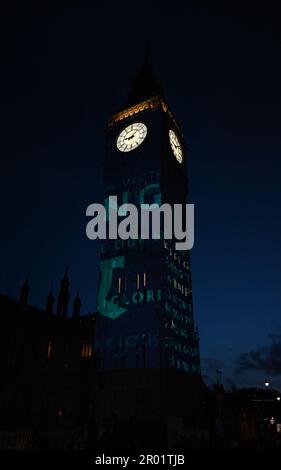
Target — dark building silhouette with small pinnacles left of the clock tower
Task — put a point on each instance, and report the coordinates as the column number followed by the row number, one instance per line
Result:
column 48, row 372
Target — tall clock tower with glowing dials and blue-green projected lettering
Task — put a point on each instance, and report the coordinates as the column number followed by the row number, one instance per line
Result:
column 145, row 311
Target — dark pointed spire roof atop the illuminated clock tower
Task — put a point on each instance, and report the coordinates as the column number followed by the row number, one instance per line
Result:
column 145, row 84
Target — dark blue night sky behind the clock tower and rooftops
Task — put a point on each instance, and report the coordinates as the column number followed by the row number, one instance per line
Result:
column 64, row 71
